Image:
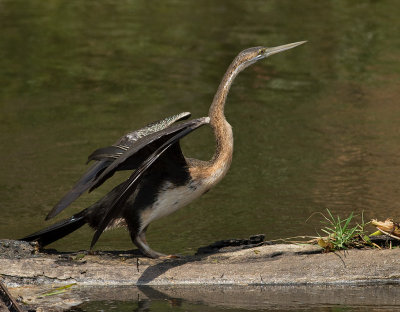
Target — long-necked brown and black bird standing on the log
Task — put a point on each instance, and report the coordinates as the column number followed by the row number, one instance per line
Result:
column 163, row 180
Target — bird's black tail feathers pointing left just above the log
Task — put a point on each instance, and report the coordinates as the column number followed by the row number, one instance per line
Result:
column 58, row 230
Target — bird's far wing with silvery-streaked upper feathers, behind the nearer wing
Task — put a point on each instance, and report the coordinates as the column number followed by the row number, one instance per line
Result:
column 105, row 156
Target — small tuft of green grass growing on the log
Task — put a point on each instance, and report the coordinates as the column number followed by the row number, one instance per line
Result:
column 342, row 233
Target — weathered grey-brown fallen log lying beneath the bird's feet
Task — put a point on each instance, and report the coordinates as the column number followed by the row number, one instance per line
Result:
column 23, row 268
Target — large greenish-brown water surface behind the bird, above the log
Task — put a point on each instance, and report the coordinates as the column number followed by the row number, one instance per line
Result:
column 315, row 127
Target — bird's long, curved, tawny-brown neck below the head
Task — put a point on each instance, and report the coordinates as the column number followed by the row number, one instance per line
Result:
column 222, row 129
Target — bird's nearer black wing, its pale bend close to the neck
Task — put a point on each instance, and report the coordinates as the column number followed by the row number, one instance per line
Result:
column 170, row 136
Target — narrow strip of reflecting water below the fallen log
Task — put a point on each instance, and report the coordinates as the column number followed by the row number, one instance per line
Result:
column 230, row 298
